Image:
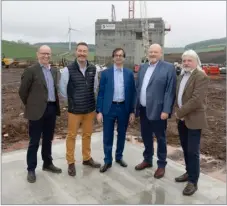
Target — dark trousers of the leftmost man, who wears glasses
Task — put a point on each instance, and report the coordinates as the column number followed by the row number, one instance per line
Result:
column 43, row 127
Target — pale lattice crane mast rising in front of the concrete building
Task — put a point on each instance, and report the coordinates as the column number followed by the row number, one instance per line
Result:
column 145, row 27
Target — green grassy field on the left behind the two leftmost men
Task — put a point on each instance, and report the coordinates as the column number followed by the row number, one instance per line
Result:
column 25, row 51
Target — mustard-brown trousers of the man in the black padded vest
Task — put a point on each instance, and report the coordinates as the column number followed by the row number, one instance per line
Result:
column 74, row 121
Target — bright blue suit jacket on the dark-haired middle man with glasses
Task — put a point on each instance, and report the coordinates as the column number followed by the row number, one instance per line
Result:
column 106, row 91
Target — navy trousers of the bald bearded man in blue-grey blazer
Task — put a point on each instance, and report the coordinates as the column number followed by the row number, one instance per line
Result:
column 148, row 129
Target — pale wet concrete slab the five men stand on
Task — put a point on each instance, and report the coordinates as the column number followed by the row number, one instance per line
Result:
column 116, row 186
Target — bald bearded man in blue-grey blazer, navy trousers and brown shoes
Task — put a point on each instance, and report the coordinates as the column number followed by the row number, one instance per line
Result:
column 156, row 87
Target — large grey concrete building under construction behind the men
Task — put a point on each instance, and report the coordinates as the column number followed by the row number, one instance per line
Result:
column 128, row 35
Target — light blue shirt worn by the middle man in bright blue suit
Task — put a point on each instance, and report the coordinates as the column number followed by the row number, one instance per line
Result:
column 119, row 89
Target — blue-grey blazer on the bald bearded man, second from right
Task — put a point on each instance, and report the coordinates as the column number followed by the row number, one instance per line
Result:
column 161, row 89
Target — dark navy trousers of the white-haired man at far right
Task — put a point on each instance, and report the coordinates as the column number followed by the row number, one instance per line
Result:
column 190, row 142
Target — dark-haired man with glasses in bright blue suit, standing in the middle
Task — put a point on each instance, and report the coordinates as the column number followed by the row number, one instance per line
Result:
column 115, row 102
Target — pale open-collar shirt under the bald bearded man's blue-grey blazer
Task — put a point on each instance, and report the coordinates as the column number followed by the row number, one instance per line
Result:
column 146, row 79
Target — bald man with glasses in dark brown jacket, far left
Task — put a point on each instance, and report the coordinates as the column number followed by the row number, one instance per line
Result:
column 38, row 92
